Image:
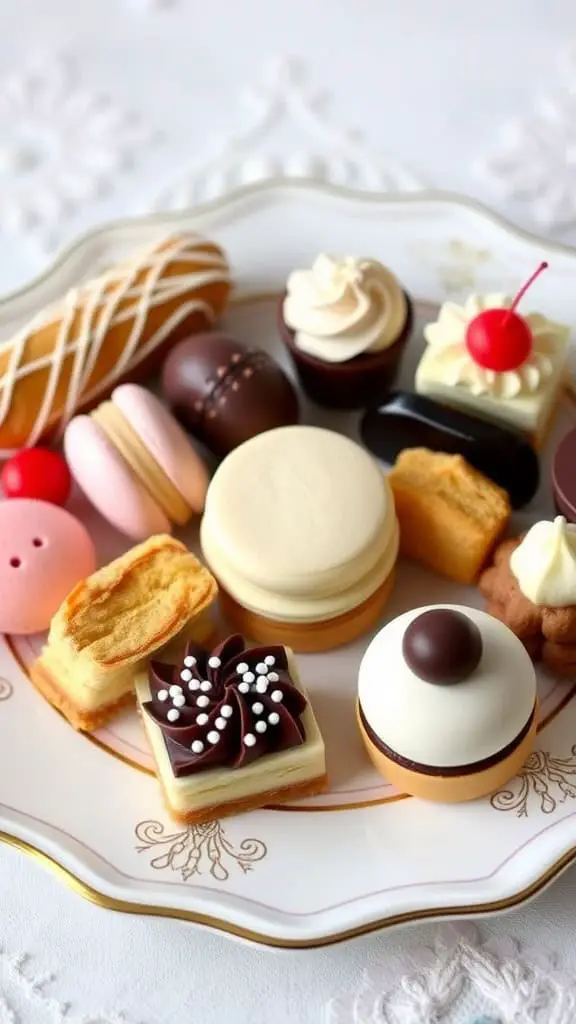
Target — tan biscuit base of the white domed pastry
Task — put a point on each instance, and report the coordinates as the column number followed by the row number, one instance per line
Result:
column 454, row 789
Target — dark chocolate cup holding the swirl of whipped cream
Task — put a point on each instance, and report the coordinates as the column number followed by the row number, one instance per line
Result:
column 355, row 385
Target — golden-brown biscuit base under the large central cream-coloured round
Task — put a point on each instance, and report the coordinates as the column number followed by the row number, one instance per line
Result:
column 310, row 638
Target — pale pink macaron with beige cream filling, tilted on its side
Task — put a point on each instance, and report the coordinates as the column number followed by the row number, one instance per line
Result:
column 136, row 464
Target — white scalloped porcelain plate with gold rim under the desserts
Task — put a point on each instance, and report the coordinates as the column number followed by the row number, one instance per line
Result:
column 361, row 857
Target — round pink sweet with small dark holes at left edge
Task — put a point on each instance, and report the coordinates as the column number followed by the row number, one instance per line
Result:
column 45, row 552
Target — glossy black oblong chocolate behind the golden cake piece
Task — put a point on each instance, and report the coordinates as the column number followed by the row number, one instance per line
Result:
column 406, row 420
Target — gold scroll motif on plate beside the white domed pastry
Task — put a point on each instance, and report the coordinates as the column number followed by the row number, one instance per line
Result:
column 545, row 783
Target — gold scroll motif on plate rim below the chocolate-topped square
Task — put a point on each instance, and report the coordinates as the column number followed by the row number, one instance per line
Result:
column 198, row 850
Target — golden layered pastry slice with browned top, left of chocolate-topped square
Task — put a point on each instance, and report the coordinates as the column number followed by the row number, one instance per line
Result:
column 113, row 622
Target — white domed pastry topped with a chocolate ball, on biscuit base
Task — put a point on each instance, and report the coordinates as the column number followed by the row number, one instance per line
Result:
column 447, row 704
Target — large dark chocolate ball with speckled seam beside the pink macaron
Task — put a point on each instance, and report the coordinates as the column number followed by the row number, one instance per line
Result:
column 225, row 393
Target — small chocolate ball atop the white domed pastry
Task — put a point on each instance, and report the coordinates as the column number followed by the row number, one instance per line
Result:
column 442, row 647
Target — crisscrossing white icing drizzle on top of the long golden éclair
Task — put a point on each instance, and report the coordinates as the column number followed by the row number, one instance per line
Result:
column 115, row 297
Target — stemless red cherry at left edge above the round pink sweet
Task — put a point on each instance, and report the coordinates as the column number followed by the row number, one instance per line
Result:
column 37, row 474
